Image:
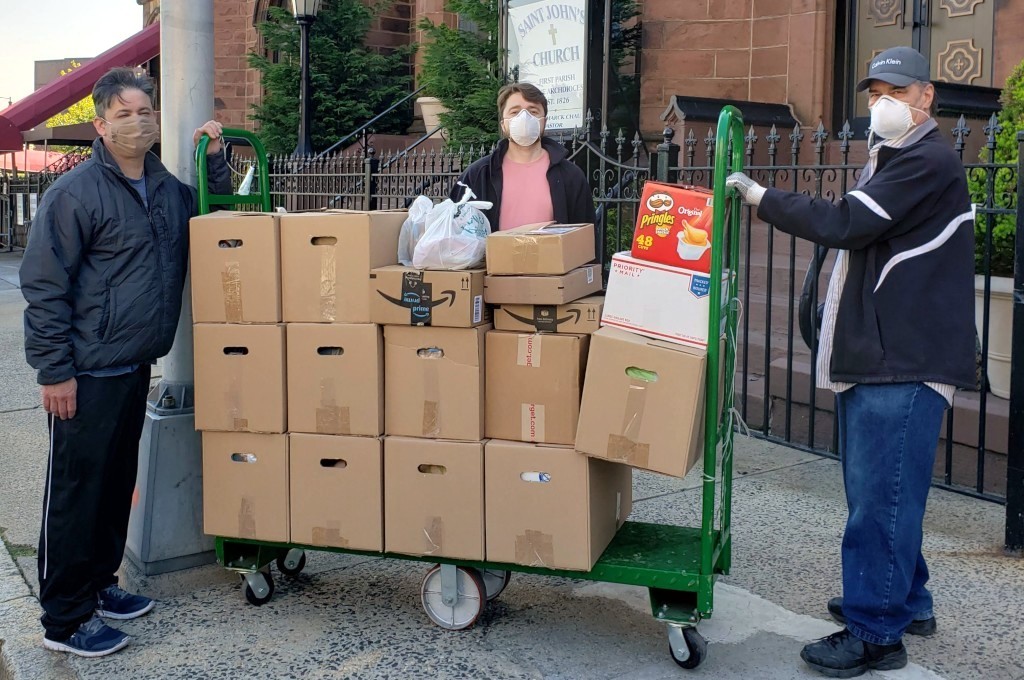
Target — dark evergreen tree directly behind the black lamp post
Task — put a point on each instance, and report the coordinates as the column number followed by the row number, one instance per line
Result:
column 350, row 83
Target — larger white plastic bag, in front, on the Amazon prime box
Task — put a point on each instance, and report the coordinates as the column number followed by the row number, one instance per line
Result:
column 456, row 235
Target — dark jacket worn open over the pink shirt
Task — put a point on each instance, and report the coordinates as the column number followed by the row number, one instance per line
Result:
column 571, row 195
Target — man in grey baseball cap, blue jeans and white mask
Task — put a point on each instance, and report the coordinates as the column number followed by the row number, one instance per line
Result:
column 898, row 341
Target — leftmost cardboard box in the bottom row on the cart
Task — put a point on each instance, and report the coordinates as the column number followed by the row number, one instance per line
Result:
column 245, row 486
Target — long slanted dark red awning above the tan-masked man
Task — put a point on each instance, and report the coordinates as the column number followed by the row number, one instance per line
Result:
column 66, row 91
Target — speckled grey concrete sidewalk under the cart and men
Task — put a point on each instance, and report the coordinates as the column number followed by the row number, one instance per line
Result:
column 349, row 617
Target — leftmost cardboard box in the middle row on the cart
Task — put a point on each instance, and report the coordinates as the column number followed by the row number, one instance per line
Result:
column 240, row 378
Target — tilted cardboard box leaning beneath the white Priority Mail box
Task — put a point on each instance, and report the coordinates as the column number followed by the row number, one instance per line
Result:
column 643, row 403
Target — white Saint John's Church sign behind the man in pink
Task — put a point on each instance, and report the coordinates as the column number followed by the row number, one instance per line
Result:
column 547, row 42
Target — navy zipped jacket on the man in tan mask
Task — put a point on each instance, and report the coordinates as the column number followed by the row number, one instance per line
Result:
column 103, row 275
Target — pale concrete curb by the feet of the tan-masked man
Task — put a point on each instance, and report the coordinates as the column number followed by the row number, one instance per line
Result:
column 22, row 654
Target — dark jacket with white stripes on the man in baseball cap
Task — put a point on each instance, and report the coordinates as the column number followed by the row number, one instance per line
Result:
column 907, row 313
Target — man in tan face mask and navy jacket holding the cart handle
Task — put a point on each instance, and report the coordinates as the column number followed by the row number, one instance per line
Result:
column 103, row 277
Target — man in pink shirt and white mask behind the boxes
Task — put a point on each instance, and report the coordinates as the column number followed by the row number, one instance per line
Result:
column 528, row 178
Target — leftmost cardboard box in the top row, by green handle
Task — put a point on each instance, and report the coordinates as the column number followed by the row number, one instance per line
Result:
column 236, row 268
